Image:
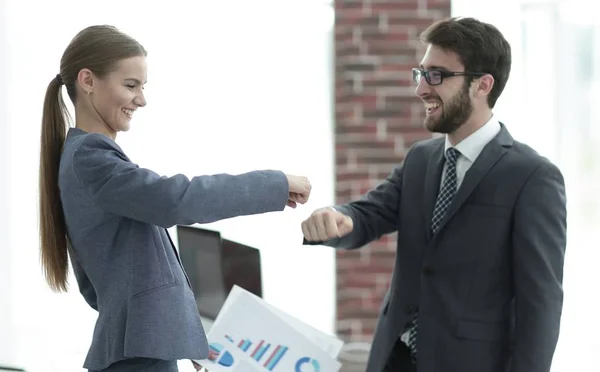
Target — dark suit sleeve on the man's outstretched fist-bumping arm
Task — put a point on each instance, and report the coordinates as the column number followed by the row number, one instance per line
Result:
column 373, row 216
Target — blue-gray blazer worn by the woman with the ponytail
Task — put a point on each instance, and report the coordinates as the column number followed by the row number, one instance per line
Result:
column 126, row 266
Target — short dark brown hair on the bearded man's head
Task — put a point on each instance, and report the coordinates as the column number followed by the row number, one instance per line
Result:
column 480, row 46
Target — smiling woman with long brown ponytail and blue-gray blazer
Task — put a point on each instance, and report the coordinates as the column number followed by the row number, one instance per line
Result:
column 112, row 215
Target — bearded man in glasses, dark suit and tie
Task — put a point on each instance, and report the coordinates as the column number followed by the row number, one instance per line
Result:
column 481, row 222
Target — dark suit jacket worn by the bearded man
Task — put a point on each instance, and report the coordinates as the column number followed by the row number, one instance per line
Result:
column 488, row 285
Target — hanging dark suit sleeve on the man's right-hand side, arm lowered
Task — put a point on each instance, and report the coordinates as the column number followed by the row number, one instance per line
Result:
column 539, row 244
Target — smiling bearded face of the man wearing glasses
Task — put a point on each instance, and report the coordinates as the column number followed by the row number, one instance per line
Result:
column 447, row 105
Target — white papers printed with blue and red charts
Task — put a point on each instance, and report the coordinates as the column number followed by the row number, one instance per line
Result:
column 249, row 335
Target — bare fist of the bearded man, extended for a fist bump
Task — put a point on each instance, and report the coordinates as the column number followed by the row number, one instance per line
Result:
column 325, row 224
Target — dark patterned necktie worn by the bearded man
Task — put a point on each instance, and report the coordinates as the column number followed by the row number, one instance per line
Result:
column 444, row 199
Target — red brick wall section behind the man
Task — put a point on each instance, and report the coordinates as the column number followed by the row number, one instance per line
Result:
column 377, row 119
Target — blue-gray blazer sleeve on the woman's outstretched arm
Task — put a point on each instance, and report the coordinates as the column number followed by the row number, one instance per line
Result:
column 125, row 189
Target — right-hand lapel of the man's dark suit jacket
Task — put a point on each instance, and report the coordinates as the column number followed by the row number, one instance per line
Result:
column 491, row 153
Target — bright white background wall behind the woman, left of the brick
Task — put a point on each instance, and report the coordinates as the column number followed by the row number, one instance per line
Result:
column 233, row 86
